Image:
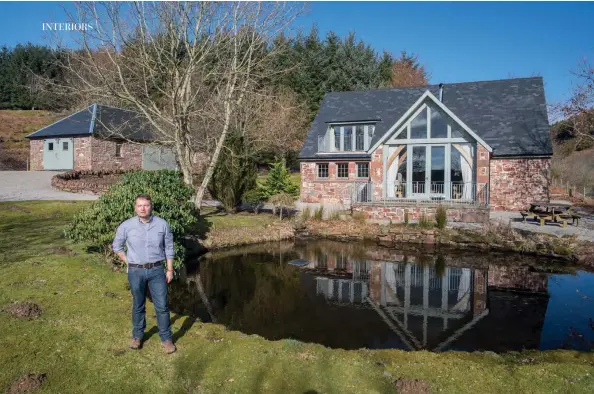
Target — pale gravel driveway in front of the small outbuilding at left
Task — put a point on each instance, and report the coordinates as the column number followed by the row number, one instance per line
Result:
column 33, row 185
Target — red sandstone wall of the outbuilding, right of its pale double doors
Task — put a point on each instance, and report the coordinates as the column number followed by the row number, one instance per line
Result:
column 103, row 155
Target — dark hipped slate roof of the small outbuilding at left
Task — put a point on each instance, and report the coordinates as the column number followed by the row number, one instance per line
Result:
column 99, row 120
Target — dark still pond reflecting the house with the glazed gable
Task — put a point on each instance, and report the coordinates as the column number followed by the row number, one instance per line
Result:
column 352, row 295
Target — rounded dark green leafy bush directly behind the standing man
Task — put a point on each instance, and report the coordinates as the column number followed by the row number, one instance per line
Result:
column 97, row 224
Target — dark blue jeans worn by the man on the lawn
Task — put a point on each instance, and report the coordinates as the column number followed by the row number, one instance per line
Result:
column 139, row 278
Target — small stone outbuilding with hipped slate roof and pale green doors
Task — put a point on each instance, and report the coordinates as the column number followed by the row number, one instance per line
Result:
column 98, row 138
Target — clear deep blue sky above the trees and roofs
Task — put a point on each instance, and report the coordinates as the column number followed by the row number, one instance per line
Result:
column 456, row 42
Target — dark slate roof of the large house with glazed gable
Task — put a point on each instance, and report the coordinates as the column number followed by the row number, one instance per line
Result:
column 510, row 114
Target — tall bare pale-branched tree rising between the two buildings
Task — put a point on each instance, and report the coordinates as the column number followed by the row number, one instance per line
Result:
column 186, row 68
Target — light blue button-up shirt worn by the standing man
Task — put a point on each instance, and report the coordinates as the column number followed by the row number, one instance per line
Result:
column 146, row 242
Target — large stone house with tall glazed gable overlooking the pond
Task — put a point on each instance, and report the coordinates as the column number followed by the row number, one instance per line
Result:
column 470, row 147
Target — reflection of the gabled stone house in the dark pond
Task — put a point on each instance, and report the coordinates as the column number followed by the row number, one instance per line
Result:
column 435, row 310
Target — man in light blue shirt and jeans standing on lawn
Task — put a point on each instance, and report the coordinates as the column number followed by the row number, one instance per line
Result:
column 149, row 242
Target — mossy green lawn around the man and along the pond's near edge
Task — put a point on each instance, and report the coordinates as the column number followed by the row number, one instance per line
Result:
column 80, row 340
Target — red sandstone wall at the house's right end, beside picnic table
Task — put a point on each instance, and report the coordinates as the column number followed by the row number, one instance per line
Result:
column 515, row 183
